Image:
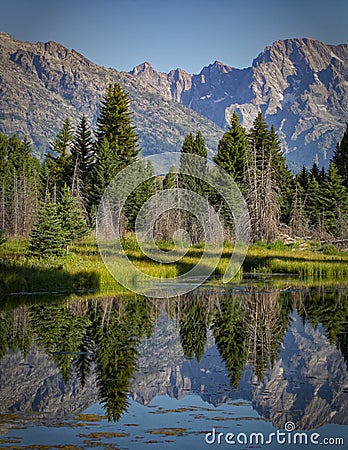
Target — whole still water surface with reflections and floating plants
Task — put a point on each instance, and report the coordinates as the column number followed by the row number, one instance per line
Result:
column 216, row 368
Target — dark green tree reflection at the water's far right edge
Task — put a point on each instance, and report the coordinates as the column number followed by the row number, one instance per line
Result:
column 330, row 308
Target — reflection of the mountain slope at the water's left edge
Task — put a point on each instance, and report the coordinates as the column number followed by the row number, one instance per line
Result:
column 34, row 387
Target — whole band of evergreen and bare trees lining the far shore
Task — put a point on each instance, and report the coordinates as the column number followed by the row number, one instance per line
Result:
column 56, row 201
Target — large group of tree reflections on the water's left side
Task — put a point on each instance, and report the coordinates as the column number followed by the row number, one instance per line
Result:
column 83, row 335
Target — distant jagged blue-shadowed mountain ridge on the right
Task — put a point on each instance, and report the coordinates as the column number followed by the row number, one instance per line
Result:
column 299, row 84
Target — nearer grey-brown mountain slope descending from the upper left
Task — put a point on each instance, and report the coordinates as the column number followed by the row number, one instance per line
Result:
column 43, row 83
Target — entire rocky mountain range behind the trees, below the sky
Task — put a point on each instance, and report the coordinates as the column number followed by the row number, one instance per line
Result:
column 300, row 86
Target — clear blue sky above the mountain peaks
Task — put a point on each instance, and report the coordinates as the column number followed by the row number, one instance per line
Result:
column 169, row 34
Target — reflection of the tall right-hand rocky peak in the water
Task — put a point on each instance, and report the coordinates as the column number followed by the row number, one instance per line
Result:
column 308, row 383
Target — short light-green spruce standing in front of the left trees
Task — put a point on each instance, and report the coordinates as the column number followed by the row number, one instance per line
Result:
column 47, row 236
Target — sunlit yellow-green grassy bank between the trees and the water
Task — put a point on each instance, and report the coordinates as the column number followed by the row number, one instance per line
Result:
column 83, row 269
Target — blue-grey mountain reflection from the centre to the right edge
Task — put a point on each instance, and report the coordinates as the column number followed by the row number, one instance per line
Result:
column 307, row 384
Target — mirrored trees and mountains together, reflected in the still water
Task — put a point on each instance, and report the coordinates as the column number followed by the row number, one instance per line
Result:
column 286, row 352
